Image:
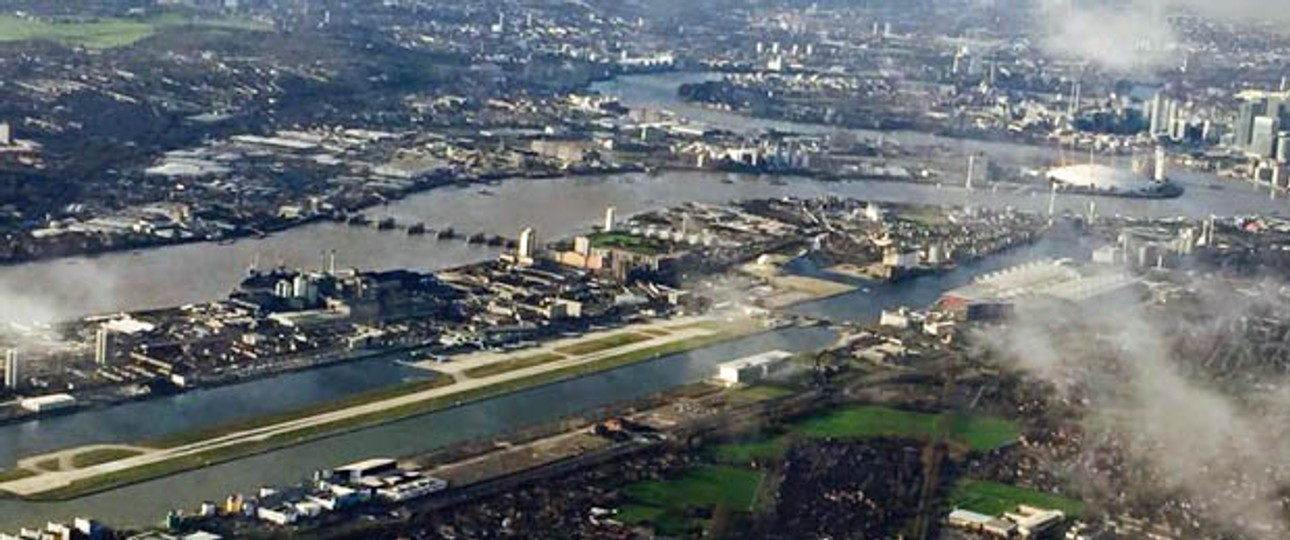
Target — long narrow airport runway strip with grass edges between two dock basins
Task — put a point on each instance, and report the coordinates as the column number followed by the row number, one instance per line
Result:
column 220, row 447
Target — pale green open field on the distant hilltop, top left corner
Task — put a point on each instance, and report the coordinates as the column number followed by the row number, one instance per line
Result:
column 109, row 33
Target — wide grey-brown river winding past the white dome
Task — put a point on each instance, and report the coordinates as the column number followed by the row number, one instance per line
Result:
column 177, row 275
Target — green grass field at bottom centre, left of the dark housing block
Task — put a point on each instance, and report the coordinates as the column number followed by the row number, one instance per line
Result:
column 668, row 505
